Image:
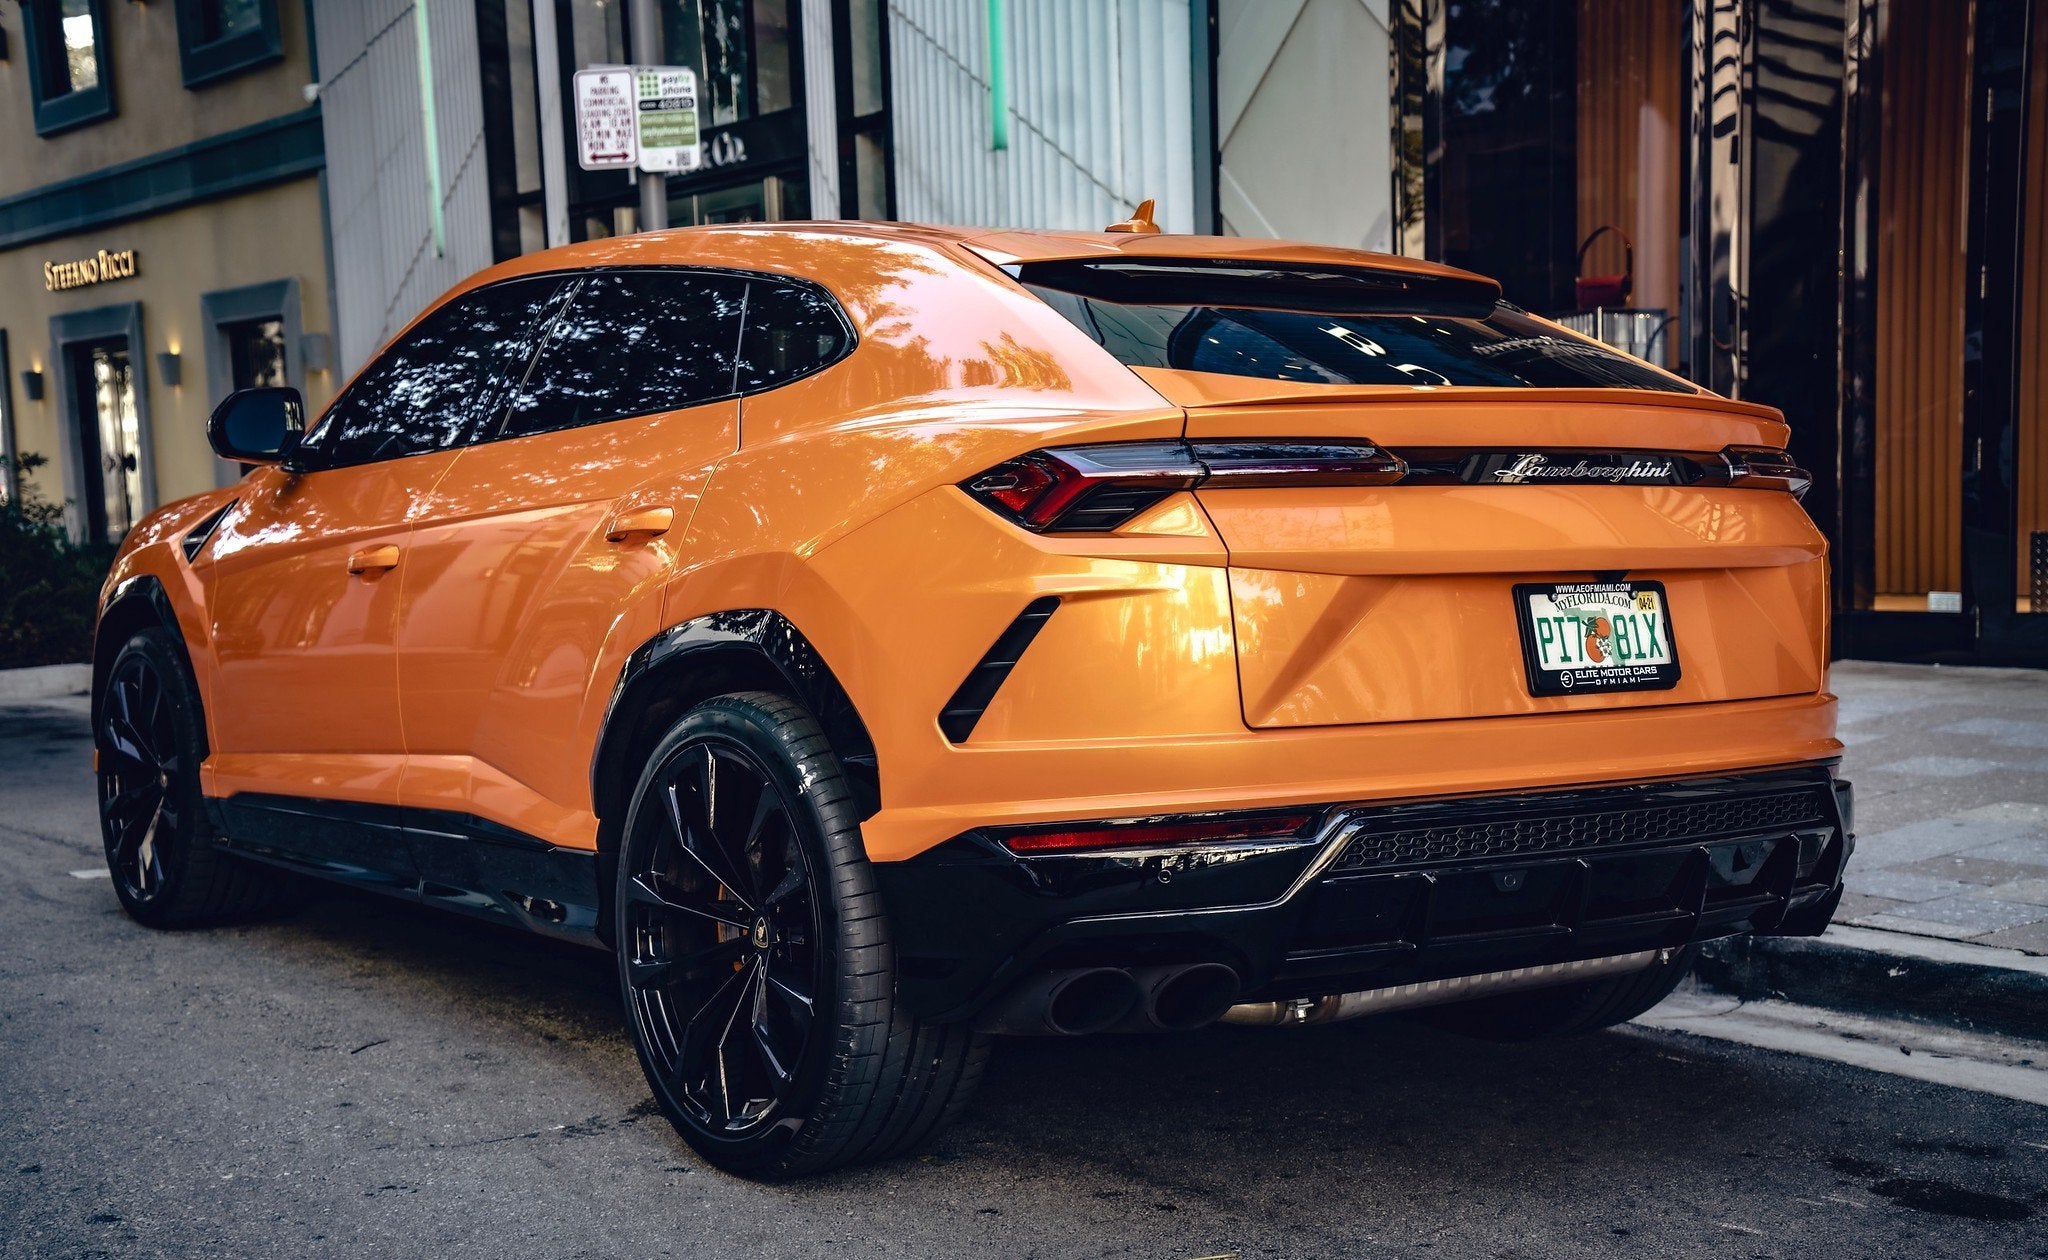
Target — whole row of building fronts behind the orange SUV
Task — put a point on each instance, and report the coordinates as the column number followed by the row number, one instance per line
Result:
column 1838, row 208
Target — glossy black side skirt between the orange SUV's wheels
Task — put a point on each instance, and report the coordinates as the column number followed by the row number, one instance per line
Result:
column 433, row 857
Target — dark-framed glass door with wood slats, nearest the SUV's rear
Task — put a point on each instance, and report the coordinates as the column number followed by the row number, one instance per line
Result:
column 1904, row 564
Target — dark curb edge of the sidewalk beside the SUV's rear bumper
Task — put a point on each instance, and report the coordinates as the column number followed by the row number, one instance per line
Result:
column 1887, row 974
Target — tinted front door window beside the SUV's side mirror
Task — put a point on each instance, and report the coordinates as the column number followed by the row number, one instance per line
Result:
column 443, row 380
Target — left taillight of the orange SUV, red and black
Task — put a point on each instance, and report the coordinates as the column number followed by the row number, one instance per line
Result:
column 1099, row 489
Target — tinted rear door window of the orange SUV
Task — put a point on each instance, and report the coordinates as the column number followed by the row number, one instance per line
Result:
column 630, row 345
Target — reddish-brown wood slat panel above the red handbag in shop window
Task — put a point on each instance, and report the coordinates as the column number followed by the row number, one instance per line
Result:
column 1629, row 106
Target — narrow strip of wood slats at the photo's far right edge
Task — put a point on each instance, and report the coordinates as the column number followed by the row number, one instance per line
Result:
column 2035, row 306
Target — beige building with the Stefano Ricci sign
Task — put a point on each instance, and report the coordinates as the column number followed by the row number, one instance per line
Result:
column 163, row 241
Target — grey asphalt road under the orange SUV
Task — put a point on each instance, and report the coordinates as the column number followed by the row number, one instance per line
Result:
column 368, row 1079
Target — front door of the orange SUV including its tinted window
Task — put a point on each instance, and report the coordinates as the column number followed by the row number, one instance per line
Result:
column 304, row 573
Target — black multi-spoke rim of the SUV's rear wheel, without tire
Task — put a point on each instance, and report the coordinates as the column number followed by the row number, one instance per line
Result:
column 724, row 960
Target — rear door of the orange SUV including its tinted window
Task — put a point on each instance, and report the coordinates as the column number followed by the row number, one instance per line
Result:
column 544, row 550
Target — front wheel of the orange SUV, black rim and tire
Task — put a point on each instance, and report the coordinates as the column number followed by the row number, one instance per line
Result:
column 161, row 847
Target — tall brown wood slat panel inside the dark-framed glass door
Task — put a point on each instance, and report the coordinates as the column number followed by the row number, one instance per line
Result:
column 1922, row 214
